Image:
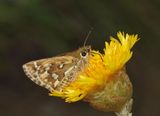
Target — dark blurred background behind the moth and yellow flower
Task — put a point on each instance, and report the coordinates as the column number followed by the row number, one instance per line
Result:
column 34, row 29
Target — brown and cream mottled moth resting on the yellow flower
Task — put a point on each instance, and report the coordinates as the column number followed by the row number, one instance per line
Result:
column 57, row 72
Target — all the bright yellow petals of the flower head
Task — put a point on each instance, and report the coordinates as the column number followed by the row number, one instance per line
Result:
column 100, row 68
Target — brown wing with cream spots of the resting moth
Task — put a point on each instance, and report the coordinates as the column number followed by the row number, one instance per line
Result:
column 49, row 72
